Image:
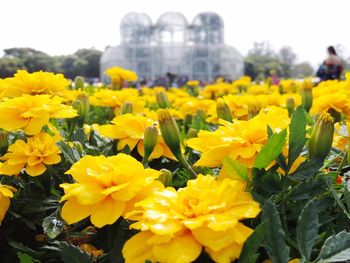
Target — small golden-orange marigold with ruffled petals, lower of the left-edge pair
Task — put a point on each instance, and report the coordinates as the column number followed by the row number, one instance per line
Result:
column 39, row 151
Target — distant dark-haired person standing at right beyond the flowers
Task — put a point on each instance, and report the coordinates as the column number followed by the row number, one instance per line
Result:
column 332, row 67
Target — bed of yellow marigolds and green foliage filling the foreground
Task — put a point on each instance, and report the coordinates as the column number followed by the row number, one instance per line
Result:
column 232, row 171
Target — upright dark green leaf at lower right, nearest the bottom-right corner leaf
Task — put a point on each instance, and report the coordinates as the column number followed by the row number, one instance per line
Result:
column 307, row 229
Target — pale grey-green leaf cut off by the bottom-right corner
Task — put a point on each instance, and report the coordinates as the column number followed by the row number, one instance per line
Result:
column 336, row 248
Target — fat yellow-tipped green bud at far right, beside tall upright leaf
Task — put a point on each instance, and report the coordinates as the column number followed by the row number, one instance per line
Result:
column 321, row 139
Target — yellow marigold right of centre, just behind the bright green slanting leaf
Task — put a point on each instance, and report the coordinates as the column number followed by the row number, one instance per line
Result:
column 240, row 140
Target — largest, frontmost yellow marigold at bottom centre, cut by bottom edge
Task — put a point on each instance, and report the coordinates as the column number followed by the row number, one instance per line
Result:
column 177, row 225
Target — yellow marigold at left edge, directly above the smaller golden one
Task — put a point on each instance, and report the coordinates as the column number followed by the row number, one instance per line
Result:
column 31, row 113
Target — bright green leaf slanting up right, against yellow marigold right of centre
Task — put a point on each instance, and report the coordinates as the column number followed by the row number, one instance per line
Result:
column 271, row 150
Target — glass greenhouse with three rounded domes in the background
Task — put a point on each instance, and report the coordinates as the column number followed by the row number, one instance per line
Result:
column 173, row 46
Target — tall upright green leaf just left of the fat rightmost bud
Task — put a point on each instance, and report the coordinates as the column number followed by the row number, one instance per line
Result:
column 297, row 135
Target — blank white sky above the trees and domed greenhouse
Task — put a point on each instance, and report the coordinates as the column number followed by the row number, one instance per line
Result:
column 63, row 26
